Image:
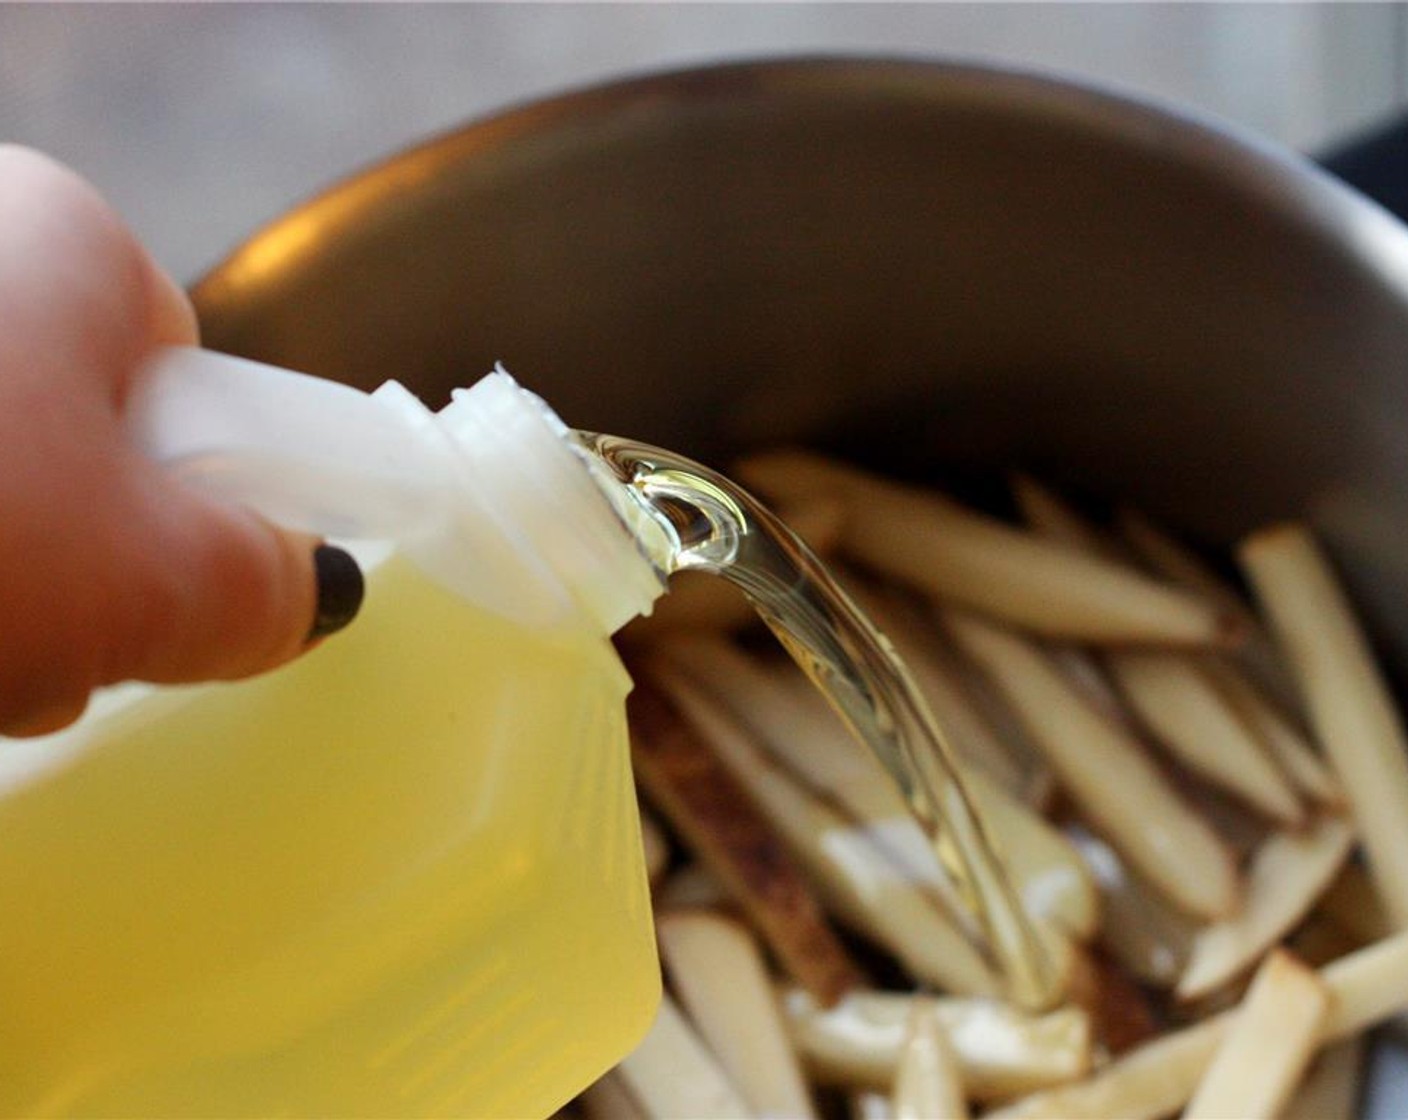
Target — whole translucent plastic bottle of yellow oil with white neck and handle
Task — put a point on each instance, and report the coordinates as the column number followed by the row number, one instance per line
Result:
column 398, row 878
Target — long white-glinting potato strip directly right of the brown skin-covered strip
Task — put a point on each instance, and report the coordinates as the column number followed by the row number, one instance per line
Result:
column 855, row 880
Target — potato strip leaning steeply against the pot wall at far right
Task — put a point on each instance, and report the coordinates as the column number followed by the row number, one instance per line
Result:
column 1350, row 705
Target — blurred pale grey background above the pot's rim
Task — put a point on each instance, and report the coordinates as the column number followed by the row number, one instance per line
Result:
column 202, row 123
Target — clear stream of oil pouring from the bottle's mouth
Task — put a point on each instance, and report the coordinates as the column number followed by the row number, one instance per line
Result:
column 691, row 518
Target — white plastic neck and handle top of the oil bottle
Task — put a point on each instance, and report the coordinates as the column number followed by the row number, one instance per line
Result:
column 494, row 495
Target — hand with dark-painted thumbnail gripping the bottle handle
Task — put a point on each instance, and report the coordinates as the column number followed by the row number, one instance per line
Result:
column 109, row 570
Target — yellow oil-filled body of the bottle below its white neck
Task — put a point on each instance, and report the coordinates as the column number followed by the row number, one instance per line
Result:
column 365, row 885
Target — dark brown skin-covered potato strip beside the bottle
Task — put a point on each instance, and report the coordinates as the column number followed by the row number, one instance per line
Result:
column 741, row 849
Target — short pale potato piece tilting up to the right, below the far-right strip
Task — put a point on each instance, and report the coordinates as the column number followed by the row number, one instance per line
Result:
column 1288, row 876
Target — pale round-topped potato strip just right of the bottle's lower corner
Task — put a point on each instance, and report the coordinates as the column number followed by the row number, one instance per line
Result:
column 722, row 981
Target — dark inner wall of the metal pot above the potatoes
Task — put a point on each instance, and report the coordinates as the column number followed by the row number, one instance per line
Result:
column 913, row 264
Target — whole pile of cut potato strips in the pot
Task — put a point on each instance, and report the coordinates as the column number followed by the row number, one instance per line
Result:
column 1200, row 798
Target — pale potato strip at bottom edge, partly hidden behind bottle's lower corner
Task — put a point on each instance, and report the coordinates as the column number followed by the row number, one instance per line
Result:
column 671, row 1074
